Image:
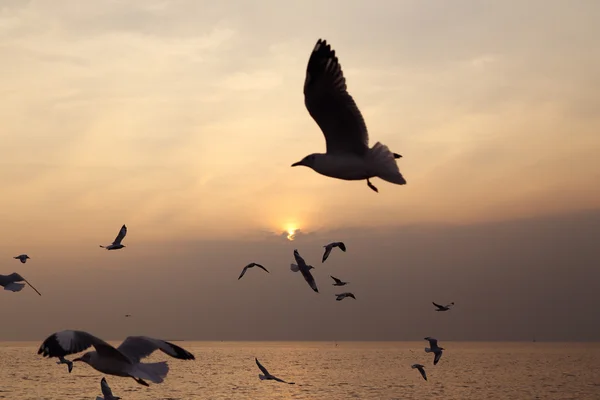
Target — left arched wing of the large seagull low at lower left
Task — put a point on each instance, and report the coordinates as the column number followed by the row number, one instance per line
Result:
column 68, row 342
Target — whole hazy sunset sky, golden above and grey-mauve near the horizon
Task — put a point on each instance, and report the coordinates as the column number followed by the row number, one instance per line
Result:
column 182, row 118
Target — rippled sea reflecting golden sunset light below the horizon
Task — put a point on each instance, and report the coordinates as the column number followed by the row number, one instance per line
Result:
column 324, row 370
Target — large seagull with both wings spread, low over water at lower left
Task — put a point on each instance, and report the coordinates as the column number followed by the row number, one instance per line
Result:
column 122, row 361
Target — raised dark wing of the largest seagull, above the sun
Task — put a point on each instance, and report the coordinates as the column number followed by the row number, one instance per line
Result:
column 330, row 105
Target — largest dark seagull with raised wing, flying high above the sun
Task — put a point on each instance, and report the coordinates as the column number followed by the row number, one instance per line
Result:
column 348, row 155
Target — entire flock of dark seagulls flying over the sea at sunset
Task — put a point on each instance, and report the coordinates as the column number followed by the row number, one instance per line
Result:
column 347, row 157
